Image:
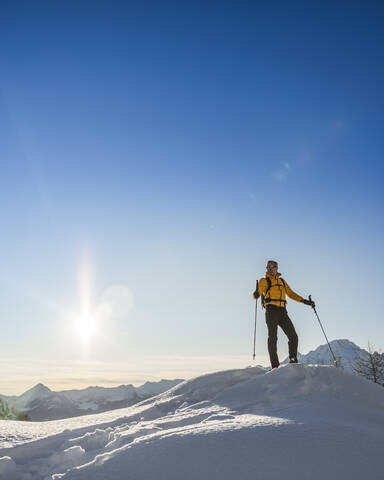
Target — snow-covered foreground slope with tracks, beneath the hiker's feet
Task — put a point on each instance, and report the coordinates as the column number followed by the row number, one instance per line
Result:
column 299, row 421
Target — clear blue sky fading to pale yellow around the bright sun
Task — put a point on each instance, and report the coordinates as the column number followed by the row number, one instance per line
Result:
column 154, row 155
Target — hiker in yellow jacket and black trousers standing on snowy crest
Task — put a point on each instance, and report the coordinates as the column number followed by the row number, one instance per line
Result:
column 273, row 289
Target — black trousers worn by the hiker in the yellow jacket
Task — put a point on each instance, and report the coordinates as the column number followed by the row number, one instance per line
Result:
column 278, row 316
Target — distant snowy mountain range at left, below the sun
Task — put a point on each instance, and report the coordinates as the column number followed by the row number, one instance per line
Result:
column 41, row 403
